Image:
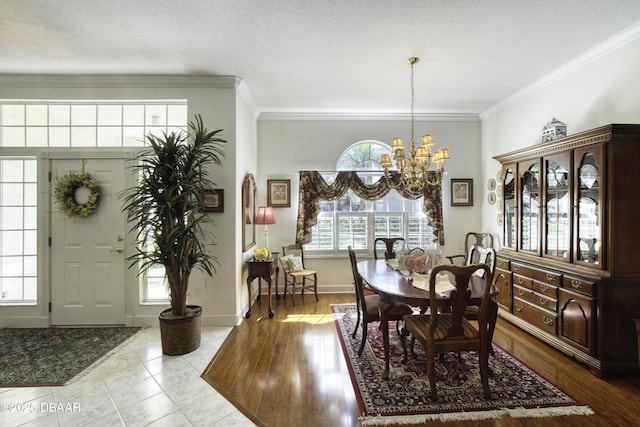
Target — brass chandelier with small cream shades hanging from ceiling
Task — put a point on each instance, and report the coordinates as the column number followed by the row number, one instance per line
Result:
column 412, row 174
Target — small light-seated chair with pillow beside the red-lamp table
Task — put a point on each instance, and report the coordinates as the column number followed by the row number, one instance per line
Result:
column 292, row 262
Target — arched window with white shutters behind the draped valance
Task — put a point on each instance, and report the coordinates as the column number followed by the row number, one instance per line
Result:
column 353, row 221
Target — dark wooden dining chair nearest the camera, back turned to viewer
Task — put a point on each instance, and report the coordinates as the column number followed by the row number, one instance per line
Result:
column 453, row 332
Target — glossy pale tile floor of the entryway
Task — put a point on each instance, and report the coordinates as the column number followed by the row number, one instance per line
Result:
column 135, row 385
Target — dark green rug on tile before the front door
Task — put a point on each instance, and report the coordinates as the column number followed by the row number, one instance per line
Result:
column 53, row 356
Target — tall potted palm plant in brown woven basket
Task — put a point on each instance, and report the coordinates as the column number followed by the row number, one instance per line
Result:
column 165, row 212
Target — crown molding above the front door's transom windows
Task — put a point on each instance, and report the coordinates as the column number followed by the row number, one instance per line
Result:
column 117, row 81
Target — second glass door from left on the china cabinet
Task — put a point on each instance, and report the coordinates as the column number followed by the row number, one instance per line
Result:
column 529, row 206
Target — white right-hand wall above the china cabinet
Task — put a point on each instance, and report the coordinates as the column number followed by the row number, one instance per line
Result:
column 604, row 91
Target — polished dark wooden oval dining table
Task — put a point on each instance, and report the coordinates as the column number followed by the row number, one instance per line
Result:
column 394, row 286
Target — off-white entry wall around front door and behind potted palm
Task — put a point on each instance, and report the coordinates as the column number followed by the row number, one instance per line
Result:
column 215, row 99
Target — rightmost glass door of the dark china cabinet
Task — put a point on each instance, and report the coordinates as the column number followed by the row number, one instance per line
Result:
column 589, row 207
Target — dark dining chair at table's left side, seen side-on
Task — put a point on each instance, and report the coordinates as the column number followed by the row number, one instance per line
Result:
column 368, row 305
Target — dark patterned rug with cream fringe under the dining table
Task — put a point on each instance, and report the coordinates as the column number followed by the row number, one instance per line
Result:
column 516, row 390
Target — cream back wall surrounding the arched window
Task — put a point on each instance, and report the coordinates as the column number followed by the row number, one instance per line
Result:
column 288, row 146
